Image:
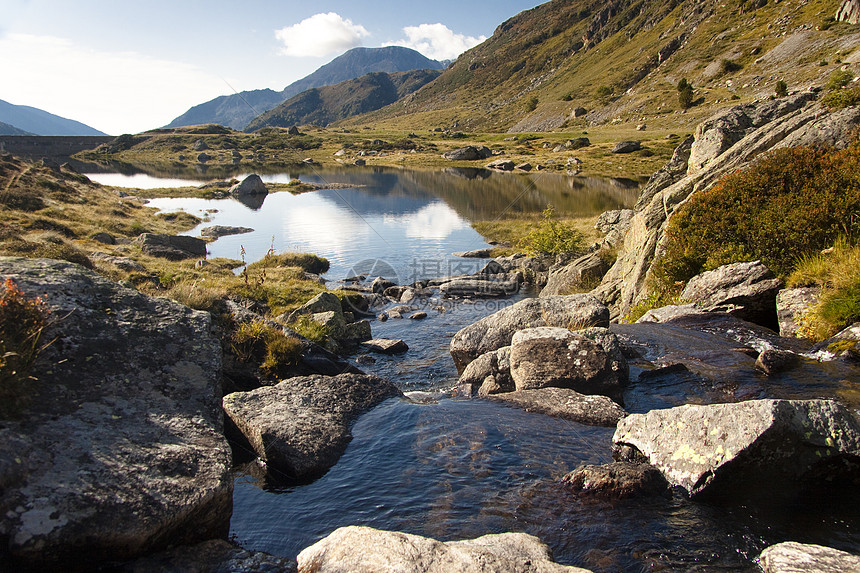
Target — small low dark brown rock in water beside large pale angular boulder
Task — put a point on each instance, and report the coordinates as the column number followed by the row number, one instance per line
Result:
column 617, row 480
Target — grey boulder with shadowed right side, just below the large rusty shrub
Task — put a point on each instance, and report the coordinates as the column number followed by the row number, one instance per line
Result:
column 745, row 290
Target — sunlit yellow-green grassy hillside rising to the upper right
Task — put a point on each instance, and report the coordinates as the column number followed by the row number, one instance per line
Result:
column 622, row 61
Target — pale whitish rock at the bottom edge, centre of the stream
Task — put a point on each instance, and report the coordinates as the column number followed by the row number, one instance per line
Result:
column 406, row 553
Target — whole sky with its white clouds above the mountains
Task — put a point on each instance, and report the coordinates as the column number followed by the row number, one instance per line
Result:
column 124, row 67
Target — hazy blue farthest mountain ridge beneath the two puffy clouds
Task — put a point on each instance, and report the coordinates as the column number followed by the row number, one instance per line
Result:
column 238, row 109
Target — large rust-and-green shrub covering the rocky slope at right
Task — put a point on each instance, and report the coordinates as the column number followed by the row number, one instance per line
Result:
column 790, row 203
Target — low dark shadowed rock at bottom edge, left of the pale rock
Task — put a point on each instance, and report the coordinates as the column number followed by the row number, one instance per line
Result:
column 215, row 556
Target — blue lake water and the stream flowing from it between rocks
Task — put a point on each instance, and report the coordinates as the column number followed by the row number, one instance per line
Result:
column 454, row 468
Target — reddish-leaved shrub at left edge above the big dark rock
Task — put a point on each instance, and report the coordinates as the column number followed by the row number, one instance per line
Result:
column 22, row 320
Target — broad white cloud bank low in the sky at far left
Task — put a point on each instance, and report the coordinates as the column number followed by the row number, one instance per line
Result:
column 116, row 92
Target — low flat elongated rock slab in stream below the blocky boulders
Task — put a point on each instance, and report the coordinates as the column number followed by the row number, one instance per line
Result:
column 566, row 403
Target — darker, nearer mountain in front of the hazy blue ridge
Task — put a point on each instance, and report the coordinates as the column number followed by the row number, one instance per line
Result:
column 327, row 104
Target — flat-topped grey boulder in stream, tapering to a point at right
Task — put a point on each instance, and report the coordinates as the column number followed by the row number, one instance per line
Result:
column 301, row 426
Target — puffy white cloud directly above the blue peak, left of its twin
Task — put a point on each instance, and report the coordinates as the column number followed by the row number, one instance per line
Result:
column 320, row 35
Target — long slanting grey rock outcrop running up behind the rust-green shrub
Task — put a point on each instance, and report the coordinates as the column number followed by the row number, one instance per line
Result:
column 721, row 145
